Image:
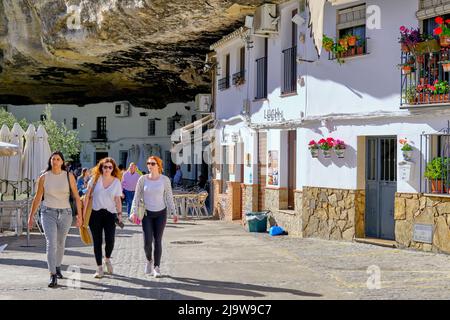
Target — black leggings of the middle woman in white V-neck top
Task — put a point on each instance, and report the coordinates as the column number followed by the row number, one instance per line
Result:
column 99, row 221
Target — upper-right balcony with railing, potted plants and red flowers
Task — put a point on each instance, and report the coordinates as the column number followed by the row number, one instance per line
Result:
column 425, row 65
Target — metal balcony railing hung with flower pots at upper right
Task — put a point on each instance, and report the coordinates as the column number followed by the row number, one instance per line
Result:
column 419, row 74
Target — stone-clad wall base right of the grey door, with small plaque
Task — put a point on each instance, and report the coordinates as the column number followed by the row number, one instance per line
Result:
column 424, row 209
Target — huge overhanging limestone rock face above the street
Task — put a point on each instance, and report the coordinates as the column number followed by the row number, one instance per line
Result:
column 150, row 52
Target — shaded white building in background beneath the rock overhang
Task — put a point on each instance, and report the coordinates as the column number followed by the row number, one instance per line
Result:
column 113, row 129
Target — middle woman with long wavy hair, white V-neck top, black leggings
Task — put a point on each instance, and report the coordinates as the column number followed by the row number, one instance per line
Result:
column 106, row 191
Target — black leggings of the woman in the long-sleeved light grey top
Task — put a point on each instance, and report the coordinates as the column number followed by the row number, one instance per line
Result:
column 153, row 225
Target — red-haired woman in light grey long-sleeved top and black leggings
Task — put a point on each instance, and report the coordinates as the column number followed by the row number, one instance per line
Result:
column 156, row 192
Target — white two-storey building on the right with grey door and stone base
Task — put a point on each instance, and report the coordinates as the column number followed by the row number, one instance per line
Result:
column 308, row 97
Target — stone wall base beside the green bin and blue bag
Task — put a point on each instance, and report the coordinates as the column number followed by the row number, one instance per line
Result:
column 289, row 220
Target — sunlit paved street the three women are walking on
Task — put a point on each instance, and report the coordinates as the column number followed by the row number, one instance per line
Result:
column 205, row 259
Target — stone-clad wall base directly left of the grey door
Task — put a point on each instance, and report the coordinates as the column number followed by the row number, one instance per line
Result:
column 333, row 214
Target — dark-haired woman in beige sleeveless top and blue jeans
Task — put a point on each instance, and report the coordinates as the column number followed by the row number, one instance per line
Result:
column 55, row 185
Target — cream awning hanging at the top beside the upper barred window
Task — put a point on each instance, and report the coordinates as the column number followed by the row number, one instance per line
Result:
column 316, row 10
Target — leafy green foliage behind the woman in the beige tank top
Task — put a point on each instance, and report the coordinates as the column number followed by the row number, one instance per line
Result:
column 59, row 137
